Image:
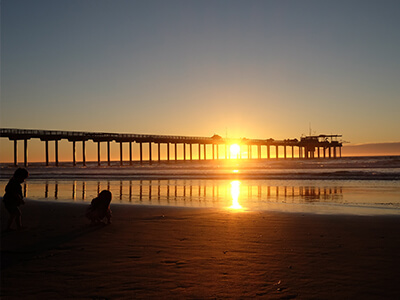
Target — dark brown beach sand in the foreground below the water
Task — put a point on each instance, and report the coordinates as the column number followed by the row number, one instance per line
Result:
column 195, row 253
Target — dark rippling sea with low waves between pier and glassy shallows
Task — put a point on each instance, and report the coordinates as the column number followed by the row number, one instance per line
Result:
column 352, row 168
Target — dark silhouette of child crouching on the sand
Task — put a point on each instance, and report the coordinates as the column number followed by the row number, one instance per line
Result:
column 100, row 208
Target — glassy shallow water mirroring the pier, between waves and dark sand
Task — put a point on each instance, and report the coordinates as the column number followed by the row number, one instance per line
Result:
column 367, row 197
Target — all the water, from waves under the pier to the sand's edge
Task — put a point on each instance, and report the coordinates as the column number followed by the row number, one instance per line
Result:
column 350, row 185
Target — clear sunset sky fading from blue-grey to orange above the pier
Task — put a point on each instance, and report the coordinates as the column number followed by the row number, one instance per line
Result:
column 255, row 69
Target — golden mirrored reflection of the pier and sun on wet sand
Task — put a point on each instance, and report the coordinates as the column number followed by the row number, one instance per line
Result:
column 197, row 193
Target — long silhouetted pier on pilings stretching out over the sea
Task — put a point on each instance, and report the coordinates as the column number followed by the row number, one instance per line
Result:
column 309, row 147
